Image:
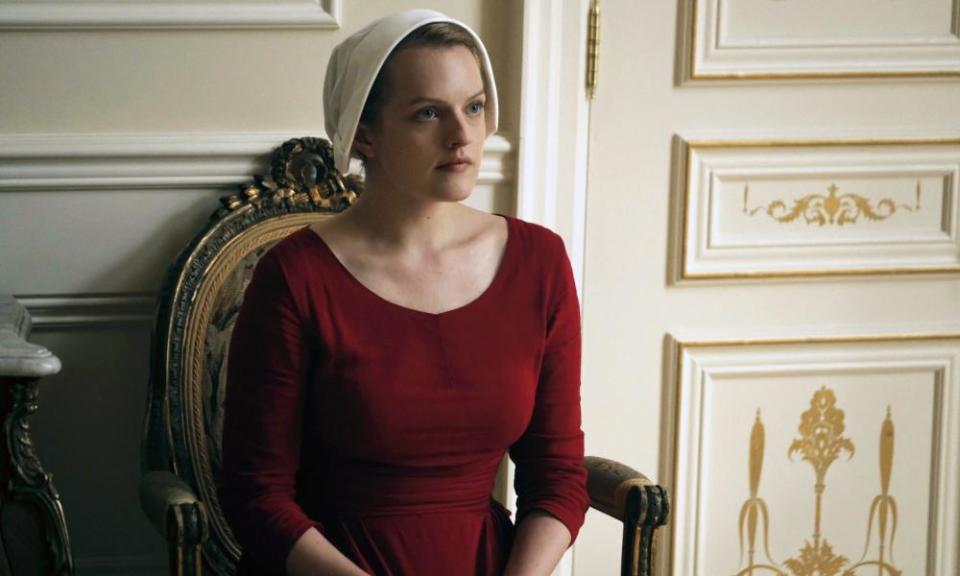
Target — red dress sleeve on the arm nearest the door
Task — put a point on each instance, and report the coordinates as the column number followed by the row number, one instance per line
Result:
column 549, row 456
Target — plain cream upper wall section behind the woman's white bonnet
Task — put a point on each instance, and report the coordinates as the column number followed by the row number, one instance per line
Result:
column 156, row 81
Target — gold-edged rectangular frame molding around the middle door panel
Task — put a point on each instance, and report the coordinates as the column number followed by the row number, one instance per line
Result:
column 693, row 145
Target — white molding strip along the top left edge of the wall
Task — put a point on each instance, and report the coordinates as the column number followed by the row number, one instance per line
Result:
column 142, row 14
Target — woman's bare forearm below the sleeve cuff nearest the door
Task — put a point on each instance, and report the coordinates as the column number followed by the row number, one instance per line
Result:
column 538, row 546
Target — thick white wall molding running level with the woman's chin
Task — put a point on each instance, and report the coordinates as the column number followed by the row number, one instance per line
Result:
column 113, row 161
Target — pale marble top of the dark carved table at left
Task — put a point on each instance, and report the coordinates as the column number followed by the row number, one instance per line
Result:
column 19, row 358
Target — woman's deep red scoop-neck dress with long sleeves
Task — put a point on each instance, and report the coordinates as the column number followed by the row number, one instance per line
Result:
column 383, row 426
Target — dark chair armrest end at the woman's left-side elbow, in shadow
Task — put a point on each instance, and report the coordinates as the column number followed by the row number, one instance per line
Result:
column 173, row 508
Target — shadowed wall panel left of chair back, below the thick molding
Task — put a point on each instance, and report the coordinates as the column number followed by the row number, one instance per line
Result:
column 96, row 241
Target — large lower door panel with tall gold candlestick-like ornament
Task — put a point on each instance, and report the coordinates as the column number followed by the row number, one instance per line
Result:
column 820, row 404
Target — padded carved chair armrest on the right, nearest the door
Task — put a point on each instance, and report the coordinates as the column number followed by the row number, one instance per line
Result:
column 623, row 493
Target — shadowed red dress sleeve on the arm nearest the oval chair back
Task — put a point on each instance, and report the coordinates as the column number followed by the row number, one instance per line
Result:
column 263, row 420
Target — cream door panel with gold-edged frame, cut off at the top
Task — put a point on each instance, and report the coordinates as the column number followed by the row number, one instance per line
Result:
column 761, row 38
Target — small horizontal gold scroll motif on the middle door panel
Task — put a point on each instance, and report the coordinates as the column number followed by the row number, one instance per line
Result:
column 832, row 208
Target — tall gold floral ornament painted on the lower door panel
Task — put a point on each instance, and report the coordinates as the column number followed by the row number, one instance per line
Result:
column 821, row 442
